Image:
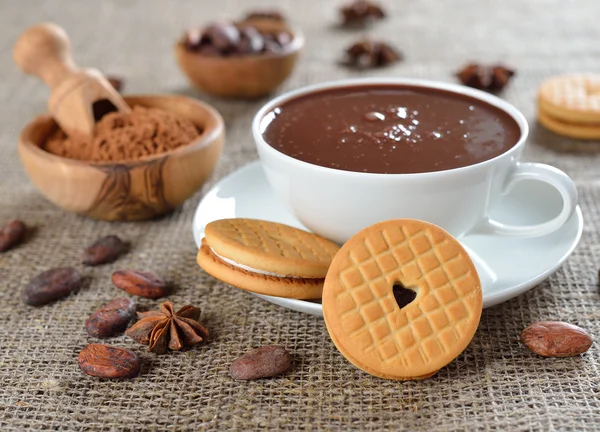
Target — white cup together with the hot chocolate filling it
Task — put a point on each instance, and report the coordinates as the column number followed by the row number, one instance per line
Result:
column 347, row 154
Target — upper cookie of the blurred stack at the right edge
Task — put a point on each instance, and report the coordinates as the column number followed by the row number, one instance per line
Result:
column 571, row 98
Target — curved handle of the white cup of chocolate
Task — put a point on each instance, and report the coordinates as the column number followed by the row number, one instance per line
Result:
column 547, row 174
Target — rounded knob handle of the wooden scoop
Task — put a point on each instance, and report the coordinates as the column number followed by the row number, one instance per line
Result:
column 44, row 50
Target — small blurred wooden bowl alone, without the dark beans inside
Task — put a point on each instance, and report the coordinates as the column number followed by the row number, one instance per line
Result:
column 242, row 76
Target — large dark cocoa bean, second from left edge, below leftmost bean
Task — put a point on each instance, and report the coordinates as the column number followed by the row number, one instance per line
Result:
column 51, row 285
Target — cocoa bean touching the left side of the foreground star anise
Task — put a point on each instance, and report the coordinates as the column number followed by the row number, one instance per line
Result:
column 111, row 319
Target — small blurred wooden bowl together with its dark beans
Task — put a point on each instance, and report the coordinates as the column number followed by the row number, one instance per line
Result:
column 244, row 59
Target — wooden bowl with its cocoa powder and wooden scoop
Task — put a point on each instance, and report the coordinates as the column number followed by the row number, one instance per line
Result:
column 106, row 156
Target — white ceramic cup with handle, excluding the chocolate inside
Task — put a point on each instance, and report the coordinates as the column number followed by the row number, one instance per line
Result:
column 336, row 204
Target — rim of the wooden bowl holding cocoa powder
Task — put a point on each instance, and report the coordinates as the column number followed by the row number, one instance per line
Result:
column 209, row 136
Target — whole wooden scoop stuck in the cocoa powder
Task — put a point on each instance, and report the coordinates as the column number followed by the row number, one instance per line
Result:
column 79, row 97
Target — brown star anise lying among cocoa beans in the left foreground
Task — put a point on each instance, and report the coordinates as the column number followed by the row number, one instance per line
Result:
column 167, row 328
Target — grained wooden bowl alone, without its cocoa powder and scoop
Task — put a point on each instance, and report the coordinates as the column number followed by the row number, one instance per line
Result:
column 122, row 191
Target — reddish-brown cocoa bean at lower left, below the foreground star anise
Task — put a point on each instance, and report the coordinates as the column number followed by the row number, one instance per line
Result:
column 104, row 361
